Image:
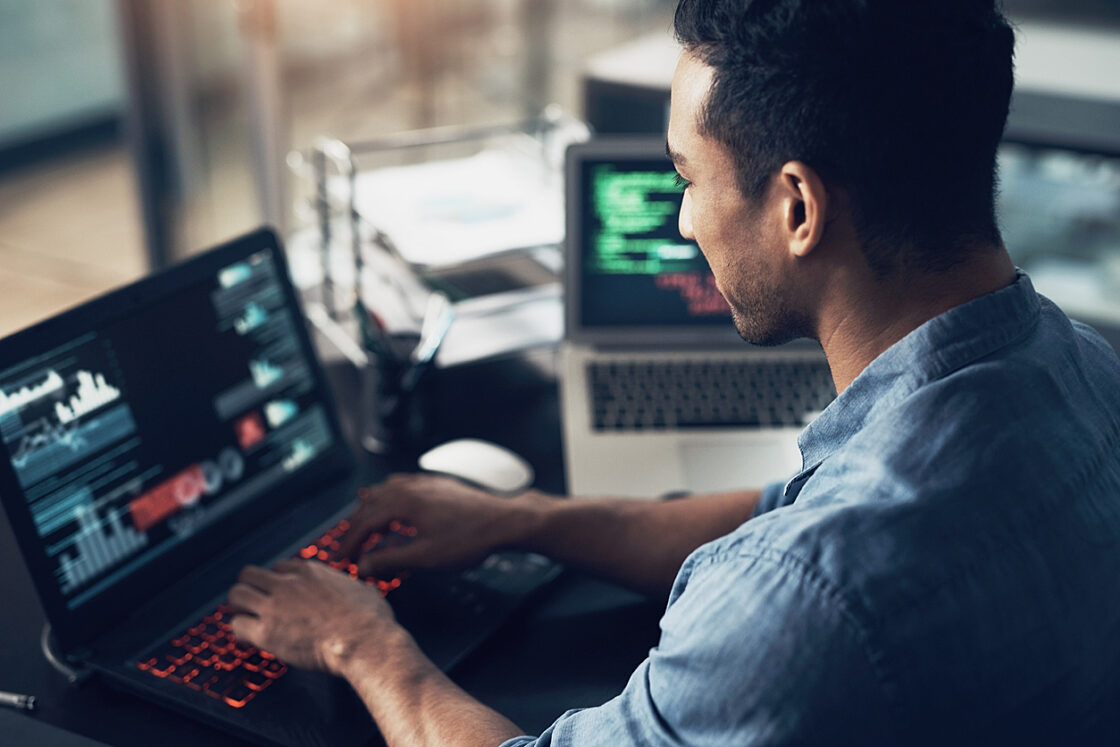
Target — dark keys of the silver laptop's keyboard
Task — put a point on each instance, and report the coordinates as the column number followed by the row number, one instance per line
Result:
column 697, row 394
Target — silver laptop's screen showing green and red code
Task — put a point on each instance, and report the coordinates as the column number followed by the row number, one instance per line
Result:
column 632, row 279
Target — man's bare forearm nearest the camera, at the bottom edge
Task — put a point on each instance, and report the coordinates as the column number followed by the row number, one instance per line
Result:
column 413, row 702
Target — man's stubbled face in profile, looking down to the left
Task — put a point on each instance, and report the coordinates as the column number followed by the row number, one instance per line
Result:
column 739, row 237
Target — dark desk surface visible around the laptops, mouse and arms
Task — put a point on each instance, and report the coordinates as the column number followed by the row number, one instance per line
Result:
column 580, row 641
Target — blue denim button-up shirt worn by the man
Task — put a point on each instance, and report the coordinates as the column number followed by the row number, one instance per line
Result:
column 946, row 568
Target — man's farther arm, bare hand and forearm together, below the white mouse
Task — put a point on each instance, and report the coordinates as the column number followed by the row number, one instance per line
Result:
column 638, row 544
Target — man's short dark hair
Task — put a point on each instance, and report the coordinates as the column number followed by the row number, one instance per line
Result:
column 902, row 104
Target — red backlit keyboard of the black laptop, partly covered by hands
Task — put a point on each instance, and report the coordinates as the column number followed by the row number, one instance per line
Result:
column 209, row 659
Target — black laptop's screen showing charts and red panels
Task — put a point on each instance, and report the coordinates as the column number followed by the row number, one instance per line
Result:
column 151, row 417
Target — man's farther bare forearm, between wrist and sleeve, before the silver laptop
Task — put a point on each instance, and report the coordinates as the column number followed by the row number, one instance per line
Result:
column 638, row 544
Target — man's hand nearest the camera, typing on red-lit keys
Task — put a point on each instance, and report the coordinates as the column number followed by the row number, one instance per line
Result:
column 309, row 614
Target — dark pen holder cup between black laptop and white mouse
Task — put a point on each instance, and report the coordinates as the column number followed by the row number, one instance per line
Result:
column 393, row 407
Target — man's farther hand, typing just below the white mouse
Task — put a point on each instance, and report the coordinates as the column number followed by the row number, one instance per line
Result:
column 456, row 526
